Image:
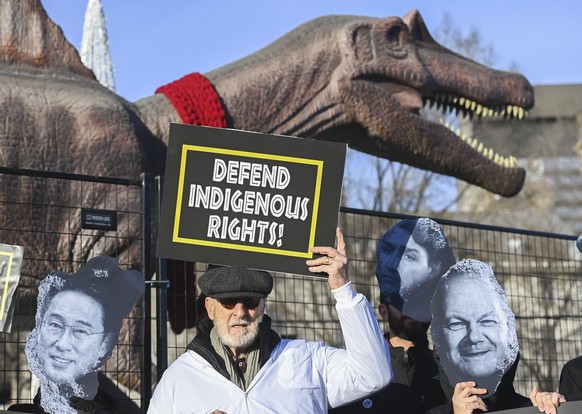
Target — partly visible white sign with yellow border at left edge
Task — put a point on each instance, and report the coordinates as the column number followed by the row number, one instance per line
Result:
column 10, row 265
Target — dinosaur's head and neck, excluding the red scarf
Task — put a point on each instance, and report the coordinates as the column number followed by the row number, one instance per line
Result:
column 363, row 81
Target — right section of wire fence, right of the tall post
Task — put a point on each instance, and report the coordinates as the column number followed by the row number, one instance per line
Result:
column 540, row 272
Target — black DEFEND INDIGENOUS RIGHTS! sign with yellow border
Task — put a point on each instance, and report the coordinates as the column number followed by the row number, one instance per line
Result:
column 248, row 199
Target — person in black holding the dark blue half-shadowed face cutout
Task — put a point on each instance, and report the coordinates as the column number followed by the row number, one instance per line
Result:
column 411, row 257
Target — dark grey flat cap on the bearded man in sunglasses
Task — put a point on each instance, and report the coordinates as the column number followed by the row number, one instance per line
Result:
column 235, row 282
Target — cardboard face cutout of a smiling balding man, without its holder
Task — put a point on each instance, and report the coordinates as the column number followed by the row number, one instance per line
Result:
column 473, row 328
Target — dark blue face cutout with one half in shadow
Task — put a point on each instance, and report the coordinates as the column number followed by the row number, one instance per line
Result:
column 411, row 257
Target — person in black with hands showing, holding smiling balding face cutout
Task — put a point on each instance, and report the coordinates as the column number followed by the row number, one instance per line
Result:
column 476, row 344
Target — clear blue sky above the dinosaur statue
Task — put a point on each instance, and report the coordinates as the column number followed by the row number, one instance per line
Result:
column 155, row 42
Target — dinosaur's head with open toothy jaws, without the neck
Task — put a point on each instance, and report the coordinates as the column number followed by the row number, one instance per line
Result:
column 395, row 68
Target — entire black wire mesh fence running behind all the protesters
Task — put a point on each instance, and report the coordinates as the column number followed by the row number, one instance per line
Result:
column 42, row 211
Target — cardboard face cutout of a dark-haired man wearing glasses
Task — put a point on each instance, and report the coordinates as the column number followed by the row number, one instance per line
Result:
column 78, row 320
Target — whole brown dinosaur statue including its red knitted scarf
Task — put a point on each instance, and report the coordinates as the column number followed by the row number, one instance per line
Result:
column 352, row 79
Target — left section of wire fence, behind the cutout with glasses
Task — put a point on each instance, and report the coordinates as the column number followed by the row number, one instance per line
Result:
column 43, row 212
